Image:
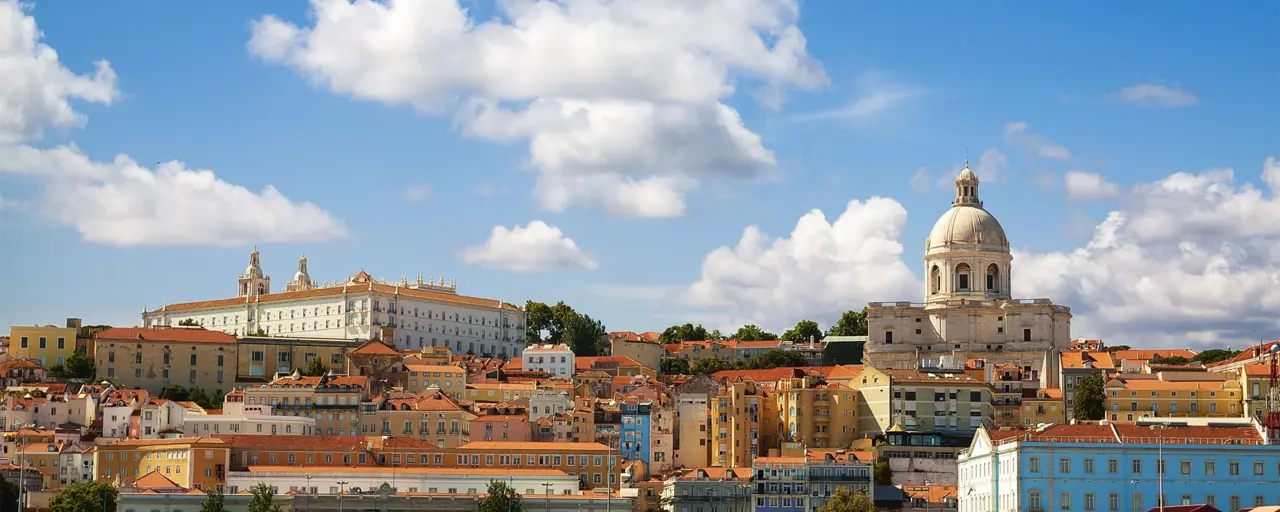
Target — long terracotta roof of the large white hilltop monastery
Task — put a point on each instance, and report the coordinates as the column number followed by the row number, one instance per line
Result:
column 337, row 291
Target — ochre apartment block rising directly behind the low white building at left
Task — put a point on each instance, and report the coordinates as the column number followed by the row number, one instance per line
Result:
column 332, row 400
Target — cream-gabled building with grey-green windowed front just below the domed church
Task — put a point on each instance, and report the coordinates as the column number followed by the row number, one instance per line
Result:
column 918, row 400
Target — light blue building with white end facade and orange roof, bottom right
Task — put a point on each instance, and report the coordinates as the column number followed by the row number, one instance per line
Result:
column 1117, row 468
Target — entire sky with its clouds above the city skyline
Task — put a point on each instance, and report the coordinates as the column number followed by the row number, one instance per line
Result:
column 647, row 162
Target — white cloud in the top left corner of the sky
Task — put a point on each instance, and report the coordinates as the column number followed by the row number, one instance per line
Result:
column 36, row 90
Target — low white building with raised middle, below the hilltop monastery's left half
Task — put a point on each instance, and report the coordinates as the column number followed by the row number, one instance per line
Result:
column 244, row 419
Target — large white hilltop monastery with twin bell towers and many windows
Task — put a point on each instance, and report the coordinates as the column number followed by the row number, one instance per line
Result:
column 414, row 316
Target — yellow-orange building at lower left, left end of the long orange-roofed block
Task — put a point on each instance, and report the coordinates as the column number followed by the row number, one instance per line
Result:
column 191, row 463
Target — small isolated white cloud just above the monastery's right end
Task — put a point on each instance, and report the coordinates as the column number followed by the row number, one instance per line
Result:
column 531, row 249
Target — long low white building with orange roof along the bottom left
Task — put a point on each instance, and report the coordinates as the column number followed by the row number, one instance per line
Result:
column 365, row 479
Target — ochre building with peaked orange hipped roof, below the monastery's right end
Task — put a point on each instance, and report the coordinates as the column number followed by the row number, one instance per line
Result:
column 432, row 417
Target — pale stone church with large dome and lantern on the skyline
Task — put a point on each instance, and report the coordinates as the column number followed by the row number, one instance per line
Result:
column 968, row 310
